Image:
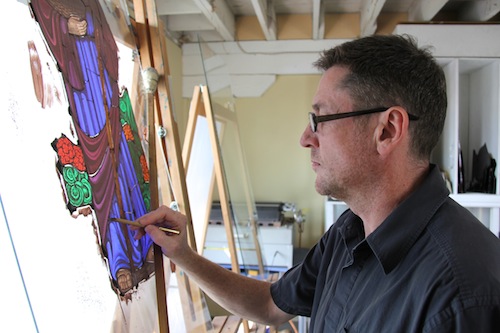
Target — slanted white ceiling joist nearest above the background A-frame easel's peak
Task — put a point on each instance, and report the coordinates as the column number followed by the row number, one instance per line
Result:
column 220, row 16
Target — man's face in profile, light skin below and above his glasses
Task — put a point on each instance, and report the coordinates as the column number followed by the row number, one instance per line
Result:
column 339, row 148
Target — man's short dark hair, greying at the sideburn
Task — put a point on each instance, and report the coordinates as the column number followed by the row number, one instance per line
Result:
column 390, row 71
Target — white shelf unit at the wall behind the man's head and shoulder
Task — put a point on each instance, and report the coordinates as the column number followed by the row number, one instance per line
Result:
column 473, row 119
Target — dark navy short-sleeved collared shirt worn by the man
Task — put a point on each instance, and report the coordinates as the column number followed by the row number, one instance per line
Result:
column 431, row 266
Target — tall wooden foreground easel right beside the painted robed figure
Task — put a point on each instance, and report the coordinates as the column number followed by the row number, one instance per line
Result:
column 168, row 169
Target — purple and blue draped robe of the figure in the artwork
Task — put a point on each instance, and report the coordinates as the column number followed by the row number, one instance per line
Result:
column 89, row 66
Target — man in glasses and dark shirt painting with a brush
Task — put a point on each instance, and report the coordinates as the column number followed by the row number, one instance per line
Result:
column 405, row 257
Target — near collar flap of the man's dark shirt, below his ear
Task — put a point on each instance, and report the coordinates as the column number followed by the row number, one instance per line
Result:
column 392, row 240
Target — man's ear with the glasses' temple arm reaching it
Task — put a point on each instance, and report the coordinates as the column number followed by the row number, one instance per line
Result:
column 391, row 129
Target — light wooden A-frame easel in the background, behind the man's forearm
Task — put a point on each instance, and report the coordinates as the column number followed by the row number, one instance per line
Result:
column 201, row 106
